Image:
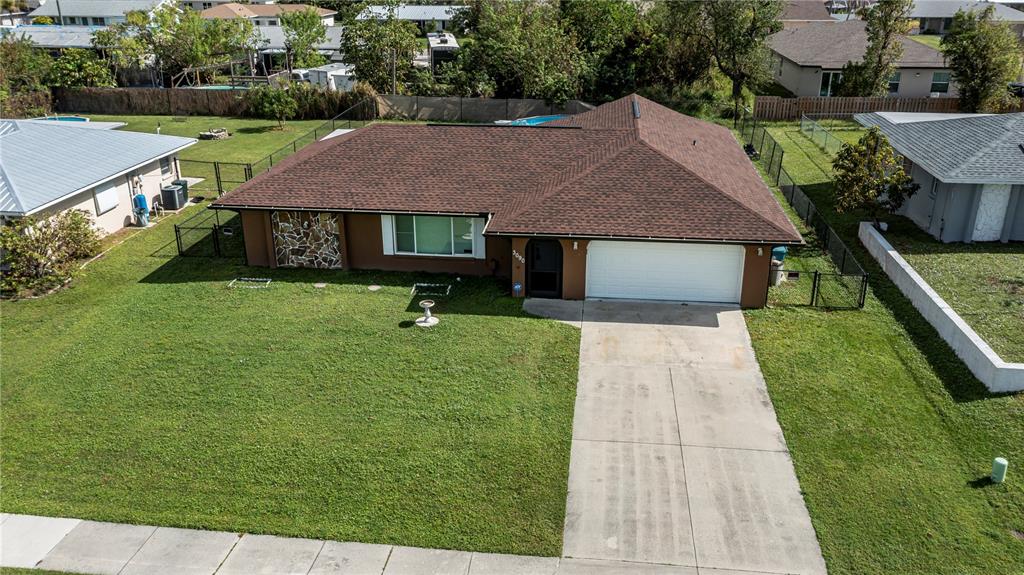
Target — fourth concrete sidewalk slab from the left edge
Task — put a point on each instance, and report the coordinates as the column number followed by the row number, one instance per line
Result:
column 267, row 555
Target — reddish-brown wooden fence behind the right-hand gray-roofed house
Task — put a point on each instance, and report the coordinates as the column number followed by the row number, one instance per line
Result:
column 775, row 108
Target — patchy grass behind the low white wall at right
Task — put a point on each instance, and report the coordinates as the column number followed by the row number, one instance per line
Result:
column 985, row 283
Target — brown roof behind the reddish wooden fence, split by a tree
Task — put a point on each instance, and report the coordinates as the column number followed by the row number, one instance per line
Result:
column 831, row 46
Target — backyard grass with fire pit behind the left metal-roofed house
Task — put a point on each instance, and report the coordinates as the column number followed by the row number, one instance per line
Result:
column 251, row 140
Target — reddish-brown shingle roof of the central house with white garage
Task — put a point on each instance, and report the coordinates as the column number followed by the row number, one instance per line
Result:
column 604, row 173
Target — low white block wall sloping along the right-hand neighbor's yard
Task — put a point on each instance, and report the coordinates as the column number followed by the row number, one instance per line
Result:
column 997, row 375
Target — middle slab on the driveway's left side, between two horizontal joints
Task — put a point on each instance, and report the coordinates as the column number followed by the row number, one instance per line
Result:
column 616, row 404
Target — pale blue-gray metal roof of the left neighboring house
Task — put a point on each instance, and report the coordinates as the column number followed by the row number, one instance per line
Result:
column 45, row 162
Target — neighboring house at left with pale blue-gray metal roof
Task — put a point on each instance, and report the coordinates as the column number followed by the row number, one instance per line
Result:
column 49, row 167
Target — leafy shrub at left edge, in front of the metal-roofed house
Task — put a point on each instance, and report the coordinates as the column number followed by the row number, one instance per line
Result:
column 39, row 255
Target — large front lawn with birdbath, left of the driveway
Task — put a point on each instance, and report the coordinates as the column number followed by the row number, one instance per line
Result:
column 151, row 392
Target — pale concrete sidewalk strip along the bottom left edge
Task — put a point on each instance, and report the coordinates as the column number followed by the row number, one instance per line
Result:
column 90, row 547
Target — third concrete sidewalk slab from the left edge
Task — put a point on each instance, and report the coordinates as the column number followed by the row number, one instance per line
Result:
column 182, row 552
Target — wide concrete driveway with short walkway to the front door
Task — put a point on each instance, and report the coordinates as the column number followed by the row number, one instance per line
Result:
column 677, row 457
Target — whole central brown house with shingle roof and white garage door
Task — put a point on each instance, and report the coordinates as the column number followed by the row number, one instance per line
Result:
column 630, row 200
